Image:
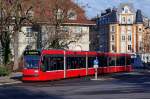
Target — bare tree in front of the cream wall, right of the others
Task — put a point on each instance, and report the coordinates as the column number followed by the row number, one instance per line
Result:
column 58, row 34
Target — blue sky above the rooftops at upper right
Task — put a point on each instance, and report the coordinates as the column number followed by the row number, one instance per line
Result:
column 94, row 7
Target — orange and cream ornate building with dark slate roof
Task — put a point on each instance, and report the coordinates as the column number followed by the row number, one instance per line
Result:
column 121, row 30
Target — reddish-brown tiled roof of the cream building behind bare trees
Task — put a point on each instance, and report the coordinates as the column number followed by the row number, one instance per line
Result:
column 44, row 11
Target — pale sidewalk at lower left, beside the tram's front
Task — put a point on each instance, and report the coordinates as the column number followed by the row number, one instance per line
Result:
column 13, row 78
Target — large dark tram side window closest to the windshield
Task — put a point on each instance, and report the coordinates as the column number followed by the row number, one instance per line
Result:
column 54, row 63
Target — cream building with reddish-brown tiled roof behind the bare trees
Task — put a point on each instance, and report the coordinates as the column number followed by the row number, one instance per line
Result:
column 36, row 36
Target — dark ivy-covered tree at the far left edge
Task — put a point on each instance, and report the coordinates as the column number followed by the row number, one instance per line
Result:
column 4, row 33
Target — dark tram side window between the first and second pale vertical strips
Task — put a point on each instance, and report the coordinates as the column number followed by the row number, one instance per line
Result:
column 76, row 62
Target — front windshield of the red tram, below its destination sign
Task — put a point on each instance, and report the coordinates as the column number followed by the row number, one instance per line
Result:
column 31, row 61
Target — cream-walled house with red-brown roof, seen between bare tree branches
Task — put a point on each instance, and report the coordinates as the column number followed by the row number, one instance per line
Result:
column 76, row 24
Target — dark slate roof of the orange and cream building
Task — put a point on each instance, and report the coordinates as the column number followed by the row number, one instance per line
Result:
column 111, row 16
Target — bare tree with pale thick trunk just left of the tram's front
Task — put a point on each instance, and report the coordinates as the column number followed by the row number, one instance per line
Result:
column 14, row 18
